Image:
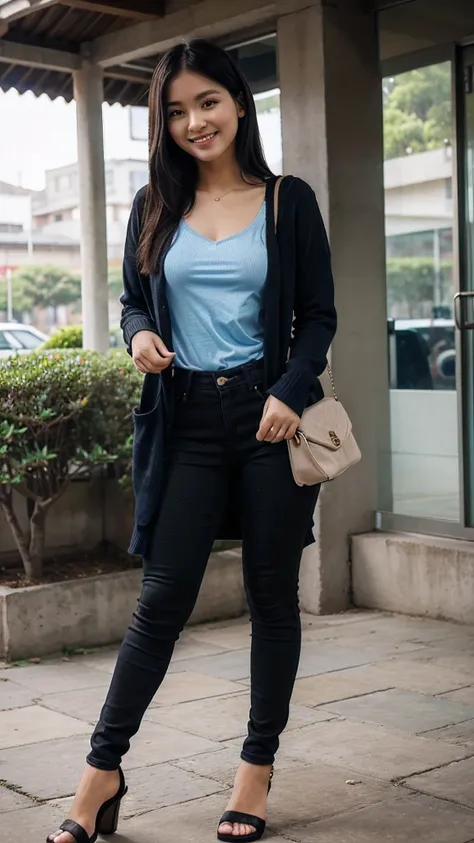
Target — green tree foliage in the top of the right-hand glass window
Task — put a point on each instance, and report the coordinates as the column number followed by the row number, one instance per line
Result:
column 417, row 110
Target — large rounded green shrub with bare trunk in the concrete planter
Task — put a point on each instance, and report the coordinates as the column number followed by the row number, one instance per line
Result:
column 63, row 414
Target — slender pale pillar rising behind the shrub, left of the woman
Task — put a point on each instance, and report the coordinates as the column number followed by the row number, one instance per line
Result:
column 89, row 96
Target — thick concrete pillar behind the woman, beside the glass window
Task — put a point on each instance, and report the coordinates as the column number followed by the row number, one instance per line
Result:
column 332, row 137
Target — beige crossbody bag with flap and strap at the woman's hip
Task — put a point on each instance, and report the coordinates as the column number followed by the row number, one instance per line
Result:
column 324, row 445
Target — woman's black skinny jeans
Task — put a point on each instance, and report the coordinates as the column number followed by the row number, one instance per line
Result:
column 215, row 433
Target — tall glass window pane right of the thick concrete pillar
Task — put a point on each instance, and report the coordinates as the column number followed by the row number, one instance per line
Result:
column 418, row 172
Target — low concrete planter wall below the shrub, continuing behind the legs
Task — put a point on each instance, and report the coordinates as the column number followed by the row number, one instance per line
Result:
column 40, row 620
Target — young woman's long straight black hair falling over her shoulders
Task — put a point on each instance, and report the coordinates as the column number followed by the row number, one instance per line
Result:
column 173, row 173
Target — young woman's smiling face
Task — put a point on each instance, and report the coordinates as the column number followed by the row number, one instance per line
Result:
column 203, row 117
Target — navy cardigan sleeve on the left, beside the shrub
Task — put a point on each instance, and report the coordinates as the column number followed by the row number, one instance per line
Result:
column 135, row 313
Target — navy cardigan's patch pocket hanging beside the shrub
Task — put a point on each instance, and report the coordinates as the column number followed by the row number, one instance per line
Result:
column 148, row 450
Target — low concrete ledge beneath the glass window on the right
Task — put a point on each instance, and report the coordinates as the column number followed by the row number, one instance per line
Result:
column 415, row 575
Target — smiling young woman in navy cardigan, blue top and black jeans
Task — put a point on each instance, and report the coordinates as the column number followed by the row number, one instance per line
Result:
column 230, row 321
